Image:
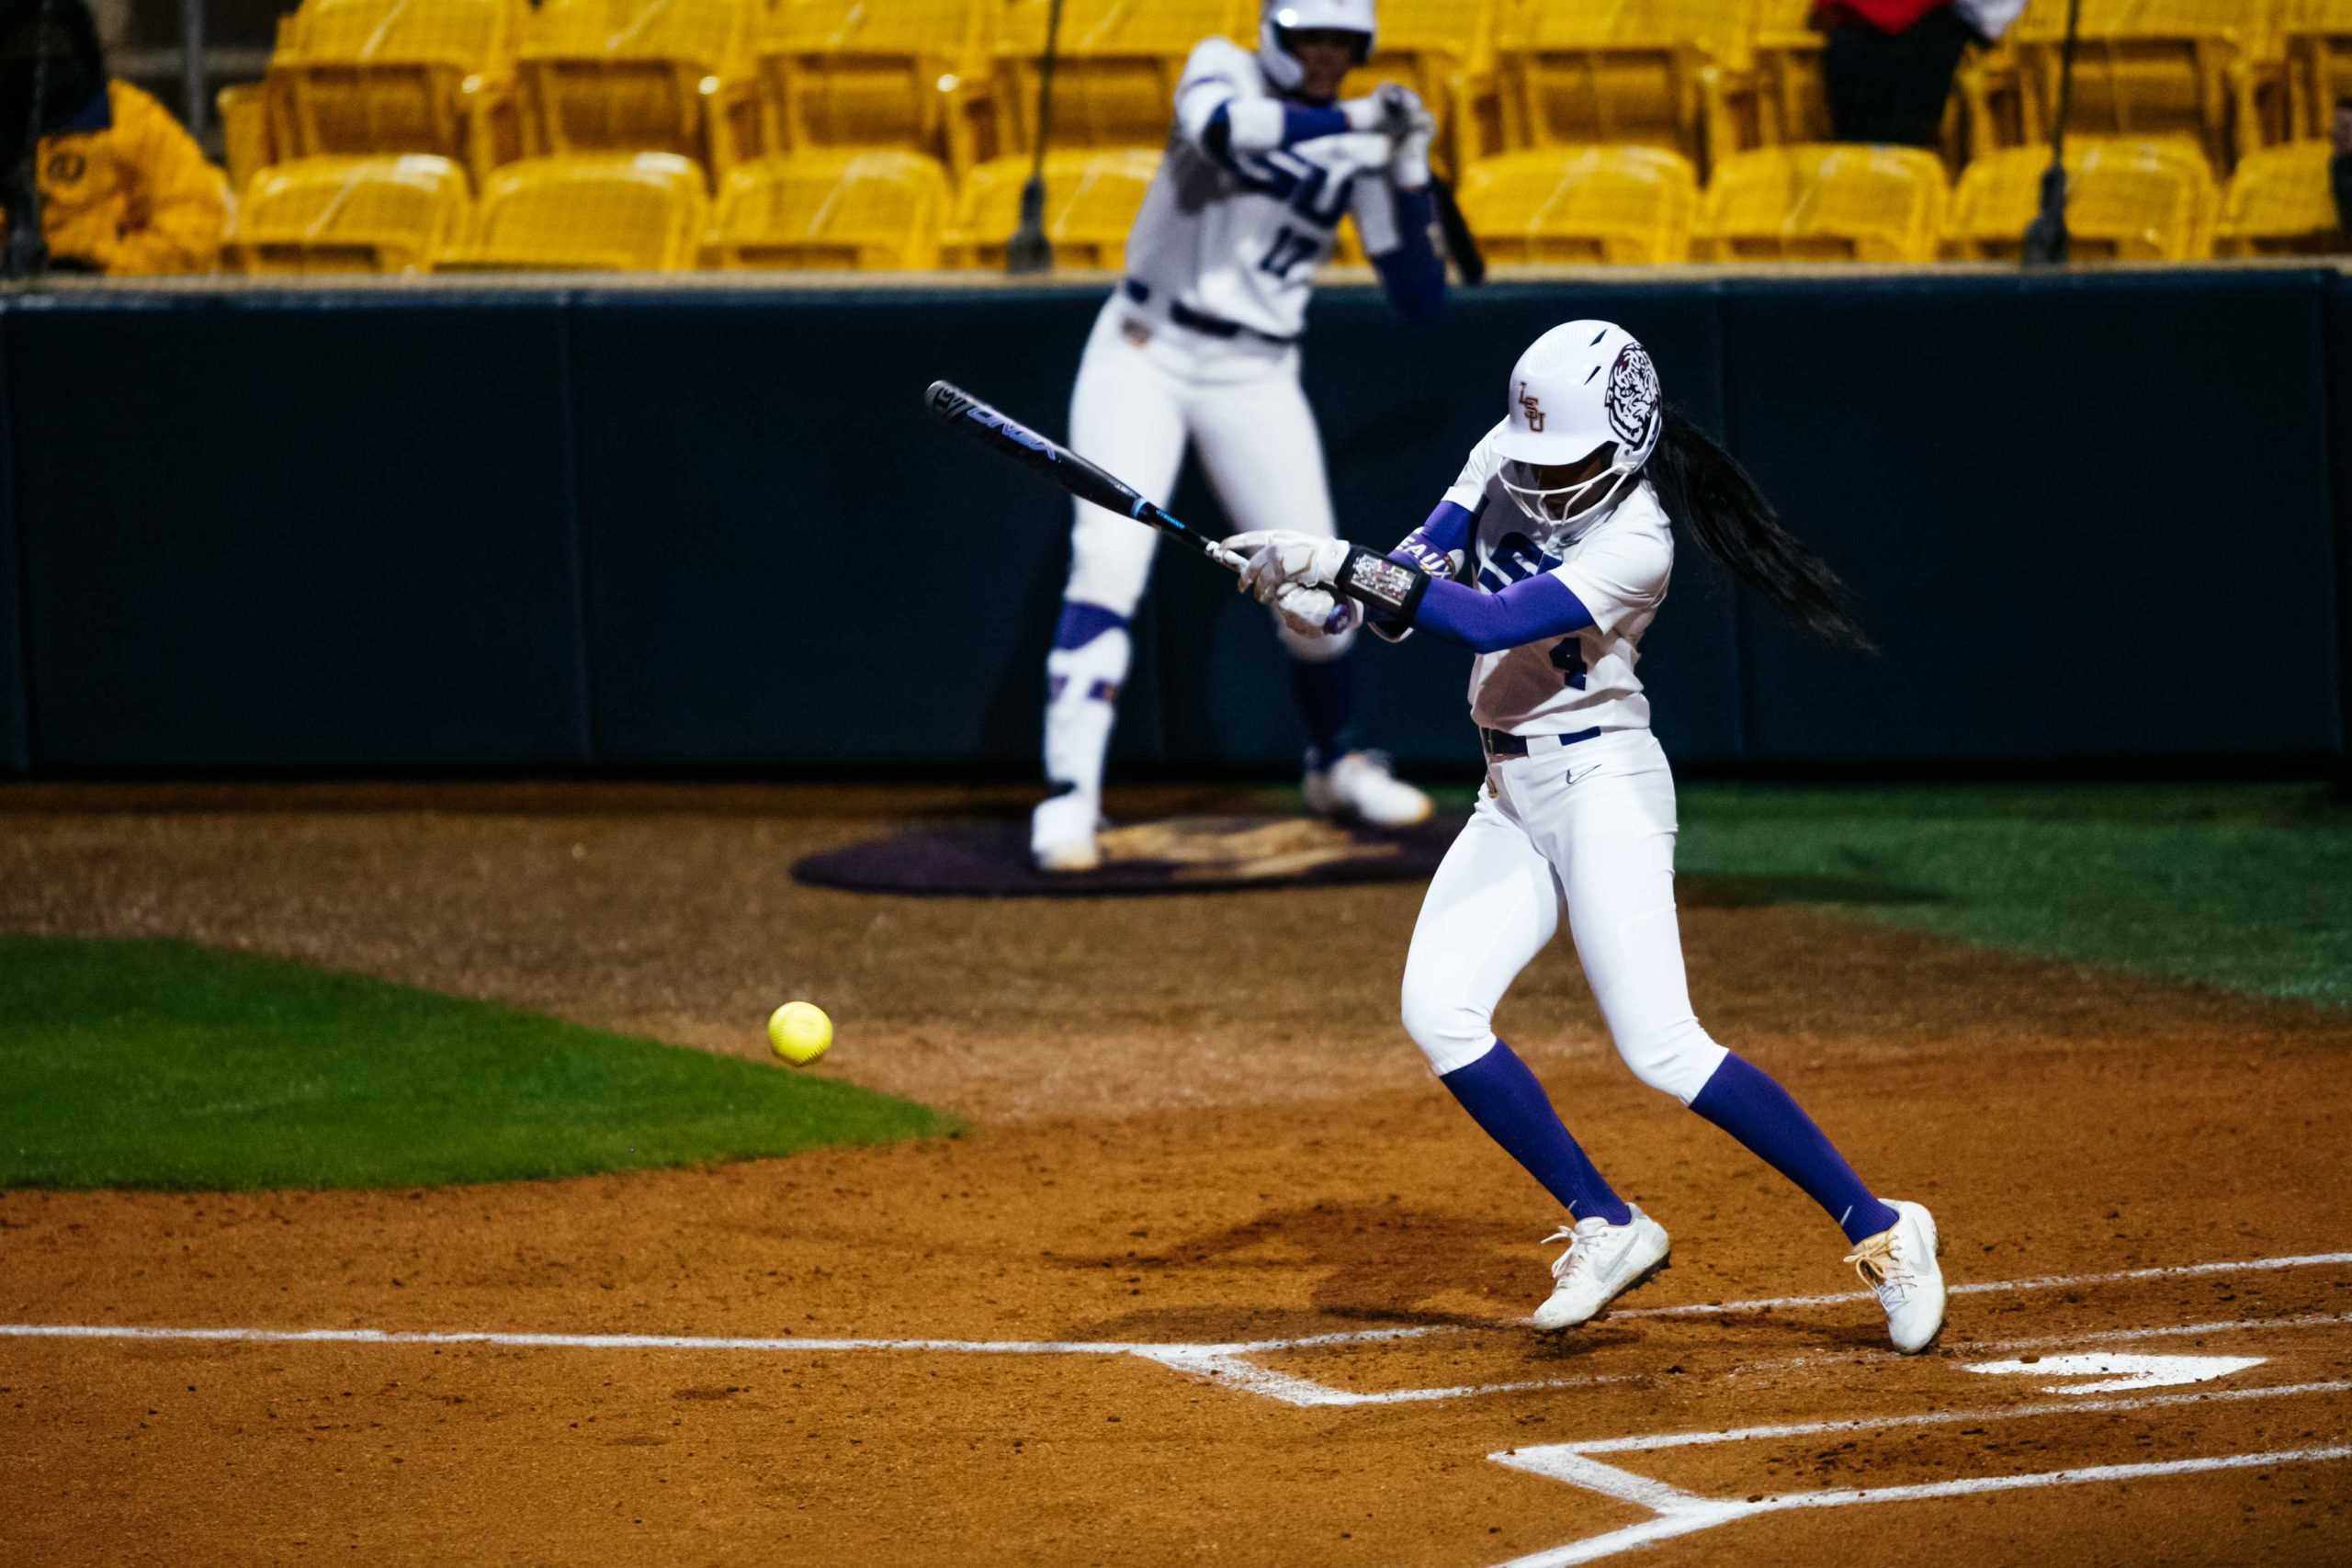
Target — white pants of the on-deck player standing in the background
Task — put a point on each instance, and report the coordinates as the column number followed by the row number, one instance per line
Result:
column 1236, row 401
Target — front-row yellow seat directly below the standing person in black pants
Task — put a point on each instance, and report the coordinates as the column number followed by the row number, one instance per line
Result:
column 1826, row 203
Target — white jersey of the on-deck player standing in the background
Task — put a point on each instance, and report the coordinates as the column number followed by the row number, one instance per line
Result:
column 1243, row 243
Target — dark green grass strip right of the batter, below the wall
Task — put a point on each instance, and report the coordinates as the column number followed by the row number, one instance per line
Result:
column 2245, row 887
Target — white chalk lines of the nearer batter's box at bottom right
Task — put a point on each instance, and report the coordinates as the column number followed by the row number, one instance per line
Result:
column 1683, row 1513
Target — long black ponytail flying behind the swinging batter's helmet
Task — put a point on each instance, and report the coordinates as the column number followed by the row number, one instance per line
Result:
column 1706, row 492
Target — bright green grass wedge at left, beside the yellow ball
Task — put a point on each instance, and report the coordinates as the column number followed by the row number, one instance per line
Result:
column 173, row 1066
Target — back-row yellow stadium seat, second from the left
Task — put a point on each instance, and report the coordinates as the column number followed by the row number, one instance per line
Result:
column 634, row 76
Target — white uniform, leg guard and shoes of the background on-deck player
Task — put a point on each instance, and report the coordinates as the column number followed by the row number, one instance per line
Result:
column 1201, row 344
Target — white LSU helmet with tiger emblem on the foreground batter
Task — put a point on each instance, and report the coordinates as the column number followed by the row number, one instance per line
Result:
column 1577, row 389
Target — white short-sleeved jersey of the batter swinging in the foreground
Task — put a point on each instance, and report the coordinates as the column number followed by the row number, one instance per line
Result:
column 1615, row 565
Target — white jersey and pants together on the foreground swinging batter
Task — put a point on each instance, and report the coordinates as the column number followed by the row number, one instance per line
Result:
column 1586, row 819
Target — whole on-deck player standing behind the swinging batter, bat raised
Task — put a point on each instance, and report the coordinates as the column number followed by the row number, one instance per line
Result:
column 1201, row 342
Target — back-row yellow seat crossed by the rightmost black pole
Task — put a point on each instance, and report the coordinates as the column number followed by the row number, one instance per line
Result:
column 2149, row 69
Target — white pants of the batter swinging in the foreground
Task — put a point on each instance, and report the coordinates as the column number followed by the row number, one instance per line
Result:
column 1589, row 829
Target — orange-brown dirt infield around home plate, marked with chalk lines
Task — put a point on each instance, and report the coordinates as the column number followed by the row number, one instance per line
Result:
column 1220, row 1275
